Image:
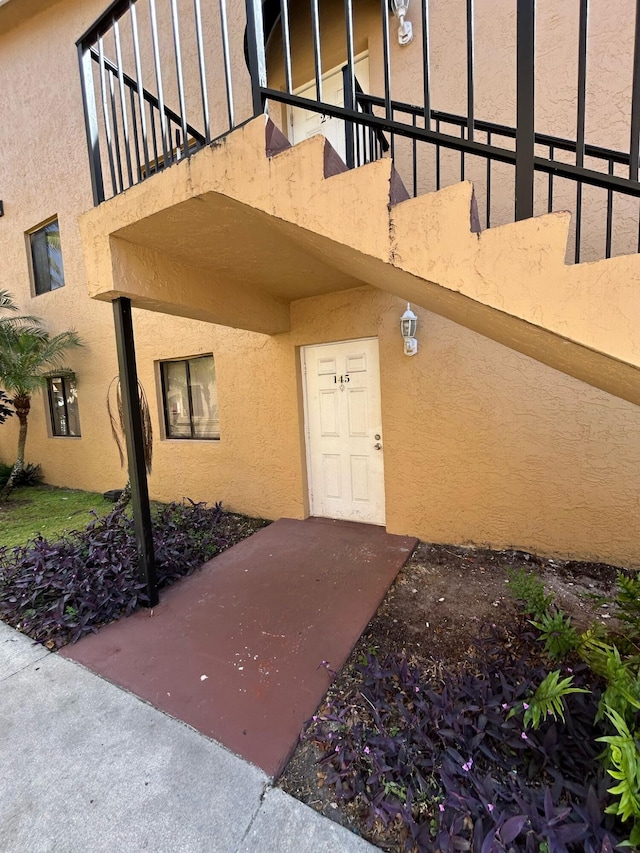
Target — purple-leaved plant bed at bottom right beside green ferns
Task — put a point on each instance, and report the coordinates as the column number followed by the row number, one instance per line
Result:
column 451, row 762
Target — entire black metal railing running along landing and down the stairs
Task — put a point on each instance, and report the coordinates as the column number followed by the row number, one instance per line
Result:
column 140, row 57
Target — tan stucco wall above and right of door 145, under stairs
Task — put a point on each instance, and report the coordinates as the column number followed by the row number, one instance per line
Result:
column 483, row 444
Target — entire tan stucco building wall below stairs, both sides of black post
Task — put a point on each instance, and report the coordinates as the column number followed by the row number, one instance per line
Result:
column 482, row 443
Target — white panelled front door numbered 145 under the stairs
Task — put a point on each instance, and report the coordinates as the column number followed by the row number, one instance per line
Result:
column 344, row 430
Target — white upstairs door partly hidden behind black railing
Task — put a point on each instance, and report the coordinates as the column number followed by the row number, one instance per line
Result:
column 304, row 123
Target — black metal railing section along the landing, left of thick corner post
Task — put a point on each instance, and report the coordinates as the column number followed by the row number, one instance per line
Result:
column 132, row 132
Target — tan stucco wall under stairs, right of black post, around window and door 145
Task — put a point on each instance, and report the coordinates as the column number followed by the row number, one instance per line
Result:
column 481, row 444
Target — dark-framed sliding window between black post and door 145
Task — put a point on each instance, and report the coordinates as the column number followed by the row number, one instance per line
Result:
column 190, row 398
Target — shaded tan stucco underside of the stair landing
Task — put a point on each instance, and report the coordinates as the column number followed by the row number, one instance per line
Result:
column 214, row 258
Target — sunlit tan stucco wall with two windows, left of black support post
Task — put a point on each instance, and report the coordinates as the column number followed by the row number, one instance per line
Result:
column 44, row 173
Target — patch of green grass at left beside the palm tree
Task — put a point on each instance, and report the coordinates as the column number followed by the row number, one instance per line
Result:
column 46, row 510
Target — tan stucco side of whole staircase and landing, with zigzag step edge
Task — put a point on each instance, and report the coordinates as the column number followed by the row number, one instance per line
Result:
column 510, row 283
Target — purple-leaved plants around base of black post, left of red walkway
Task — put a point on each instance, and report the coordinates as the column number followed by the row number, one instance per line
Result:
column 57, row 591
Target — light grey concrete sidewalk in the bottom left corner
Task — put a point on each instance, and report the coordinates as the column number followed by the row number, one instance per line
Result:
column 88, row 767
